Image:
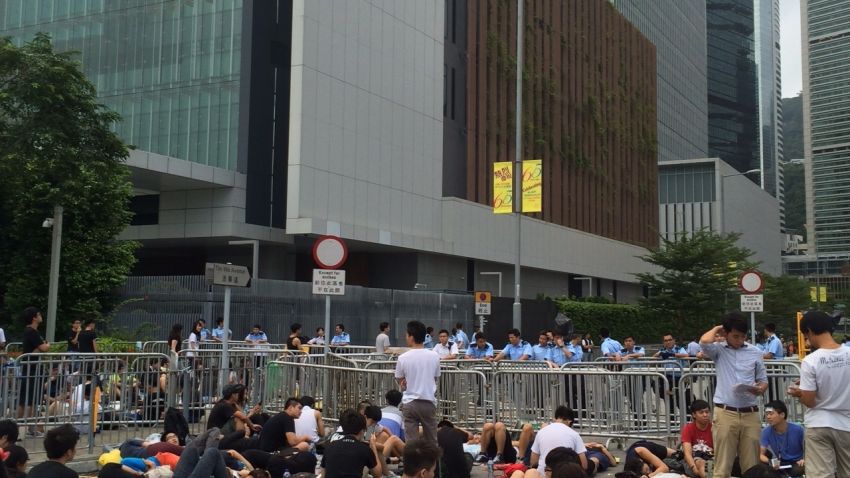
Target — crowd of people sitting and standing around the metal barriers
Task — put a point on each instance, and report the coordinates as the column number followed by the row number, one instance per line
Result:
column 720, row 440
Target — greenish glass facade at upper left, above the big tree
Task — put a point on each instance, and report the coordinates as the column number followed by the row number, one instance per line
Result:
column 170, row 69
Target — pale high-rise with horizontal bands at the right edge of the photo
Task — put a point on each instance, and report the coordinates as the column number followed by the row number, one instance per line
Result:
column 826, row 121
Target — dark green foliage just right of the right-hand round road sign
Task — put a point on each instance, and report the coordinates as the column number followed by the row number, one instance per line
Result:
column 783, row 296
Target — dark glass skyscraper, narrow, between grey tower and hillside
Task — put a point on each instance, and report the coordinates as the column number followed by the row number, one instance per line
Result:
column 733, row 103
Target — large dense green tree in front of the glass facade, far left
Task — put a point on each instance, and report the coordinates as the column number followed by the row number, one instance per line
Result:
column 57, row 148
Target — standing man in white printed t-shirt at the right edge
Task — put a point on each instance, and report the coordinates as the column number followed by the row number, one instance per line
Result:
column 824, row 375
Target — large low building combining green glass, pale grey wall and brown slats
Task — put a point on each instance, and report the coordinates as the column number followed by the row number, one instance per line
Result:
column 378, row 121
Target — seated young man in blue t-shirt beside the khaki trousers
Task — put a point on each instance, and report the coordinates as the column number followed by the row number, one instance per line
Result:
column 783, row 440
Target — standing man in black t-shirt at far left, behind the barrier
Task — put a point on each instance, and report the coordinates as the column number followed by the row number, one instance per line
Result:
column 30, row 393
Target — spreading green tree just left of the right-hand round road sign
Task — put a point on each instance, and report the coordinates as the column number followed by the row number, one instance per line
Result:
column 697, row 279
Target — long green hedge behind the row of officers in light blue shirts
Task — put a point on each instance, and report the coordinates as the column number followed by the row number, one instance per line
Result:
column 620, row 319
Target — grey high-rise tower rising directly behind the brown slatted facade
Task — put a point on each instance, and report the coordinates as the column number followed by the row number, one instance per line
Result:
column 677, row 28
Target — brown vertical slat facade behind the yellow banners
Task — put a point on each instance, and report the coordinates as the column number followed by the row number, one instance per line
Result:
column 588, row 112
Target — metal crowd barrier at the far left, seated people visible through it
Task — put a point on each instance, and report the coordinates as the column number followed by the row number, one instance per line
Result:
column 107, row 397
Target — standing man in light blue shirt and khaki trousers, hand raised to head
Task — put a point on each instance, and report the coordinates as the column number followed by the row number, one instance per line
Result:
column 741, row 377
